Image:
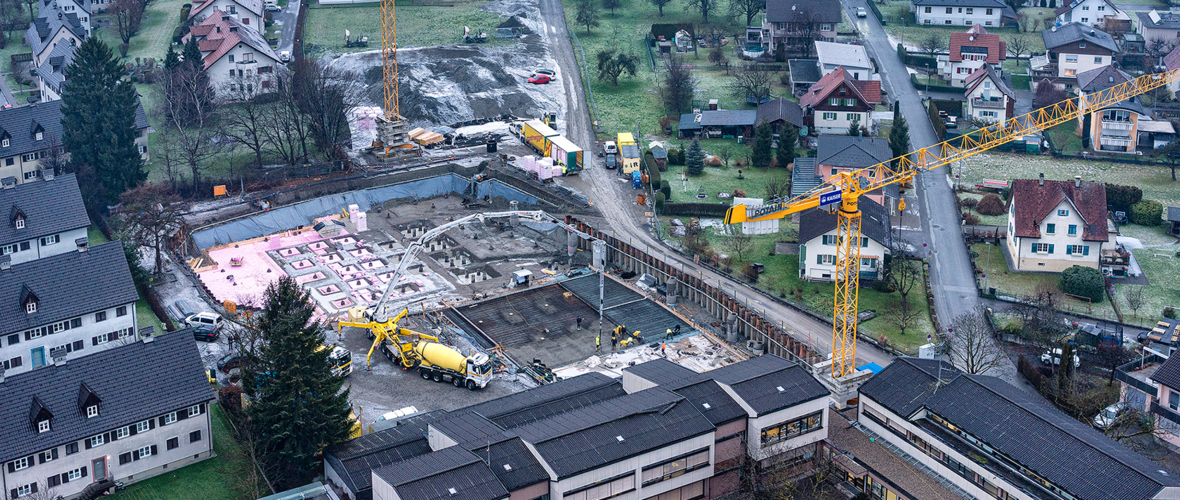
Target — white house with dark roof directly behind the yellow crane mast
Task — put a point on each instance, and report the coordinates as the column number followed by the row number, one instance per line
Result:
column 820, row 241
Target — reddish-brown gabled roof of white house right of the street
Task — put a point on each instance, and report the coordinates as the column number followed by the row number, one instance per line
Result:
column 1033, row 203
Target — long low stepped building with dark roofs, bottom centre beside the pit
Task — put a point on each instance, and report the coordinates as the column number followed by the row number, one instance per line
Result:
column 670, row 433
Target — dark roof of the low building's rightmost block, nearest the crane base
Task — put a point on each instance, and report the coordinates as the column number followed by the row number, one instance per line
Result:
column 770, row 384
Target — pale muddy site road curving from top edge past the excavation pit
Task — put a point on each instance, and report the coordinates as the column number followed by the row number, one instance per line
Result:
column 602, row 187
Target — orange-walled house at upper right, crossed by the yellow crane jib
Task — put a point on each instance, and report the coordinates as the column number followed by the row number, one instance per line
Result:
column 1116, row 128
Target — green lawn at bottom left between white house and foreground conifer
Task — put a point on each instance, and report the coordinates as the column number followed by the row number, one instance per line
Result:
column 213, row 479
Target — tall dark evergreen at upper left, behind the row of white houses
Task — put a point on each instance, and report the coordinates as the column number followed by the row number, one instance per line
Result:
column 99, row 117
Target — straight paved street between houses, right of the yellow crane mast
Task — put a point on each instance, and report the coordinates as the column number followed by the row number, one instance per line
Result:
column 952, row 279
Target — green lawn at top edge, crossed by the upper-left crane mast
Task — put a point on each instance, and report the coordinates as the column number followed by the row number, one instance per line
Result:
column 418, row 27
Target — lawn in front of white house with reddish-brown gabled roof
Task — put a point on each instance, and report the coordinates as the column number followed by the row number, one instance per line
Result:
column 1024, row 285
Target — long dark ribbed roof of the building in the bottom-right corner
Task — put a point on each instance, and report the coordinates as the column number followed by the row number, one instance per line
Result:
column 1026, row 429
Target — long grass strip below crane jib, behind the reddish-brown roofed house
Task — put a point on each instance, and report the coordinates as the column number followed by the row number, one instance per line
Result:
column 1155, row 181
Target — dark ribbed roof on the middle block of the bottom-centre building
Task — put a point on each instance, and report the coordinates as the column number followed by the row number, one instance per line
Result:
column 593, row 437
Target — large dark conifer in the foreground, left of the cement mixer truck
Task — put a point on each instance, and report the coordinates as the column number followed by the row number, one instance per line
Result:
column 297, row 405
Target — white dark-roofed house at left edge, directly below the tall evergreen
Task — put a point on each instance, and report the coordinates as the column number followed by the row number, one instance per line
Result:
column 47, row 219
